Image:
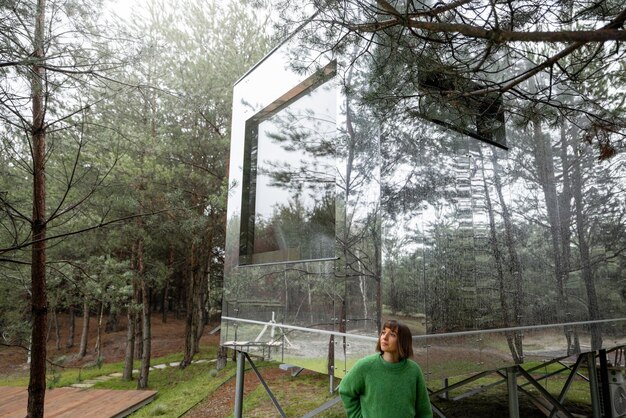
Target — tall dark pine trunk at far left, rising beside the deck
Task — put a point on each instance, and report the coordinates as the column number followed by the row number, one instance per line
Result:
column 39, row 298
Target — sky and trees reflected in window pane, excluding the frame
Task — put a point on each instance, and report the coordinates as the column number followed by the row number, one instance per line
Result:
column 294, row 217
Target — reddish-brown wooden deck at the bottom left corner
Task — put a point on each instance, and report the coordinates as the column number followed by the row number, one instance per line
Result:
column 73, row 402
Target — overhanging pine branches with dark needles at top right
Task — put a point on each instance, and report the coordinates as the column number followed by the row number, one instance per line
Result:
column 541, row 58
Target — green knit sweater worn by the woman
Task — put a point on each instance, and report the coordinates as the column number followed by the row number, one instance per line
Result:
column 375, row 388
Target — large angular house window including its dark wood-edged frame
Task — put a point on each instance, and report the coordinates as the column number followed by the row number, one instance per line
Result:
column 288, row 200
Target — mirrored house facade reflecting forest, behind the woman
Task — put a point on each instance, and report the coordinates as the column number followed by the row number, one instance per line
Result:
column 497, row 242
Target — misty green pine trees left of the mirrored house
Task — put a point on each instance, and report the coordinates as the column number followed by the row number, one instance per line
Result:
column 114, row 142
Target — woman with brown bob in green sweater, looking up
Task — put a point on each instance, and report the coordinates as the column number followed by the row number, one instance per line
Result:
column 388, row 383
